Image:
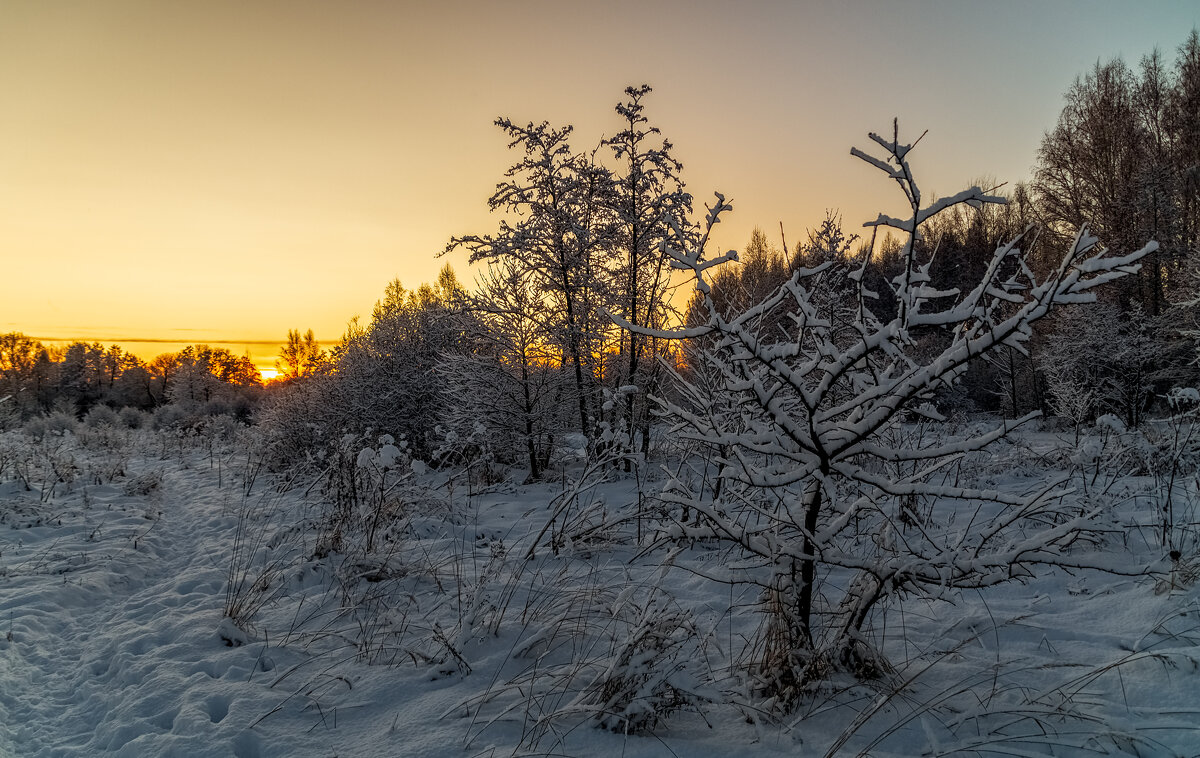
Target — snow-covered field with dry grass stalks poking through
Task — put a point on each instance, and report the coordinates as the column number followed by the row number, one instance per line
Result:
column 161, row 594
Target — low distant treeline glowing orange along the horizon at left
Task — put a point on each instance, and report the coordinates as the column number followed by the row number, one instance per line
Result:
column 80, row 377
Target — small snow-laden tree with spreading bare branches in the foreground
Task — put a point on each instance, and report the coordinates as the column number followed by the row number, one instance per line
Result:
column 832, row 497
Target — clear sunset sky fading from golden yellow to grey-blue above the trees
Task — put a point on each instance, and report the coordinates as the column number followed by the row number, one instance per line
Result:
column 224, row 172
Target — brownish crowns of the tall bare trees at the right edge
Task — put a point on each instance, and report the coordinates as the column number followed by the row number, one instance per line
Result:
column 1125, row 159
